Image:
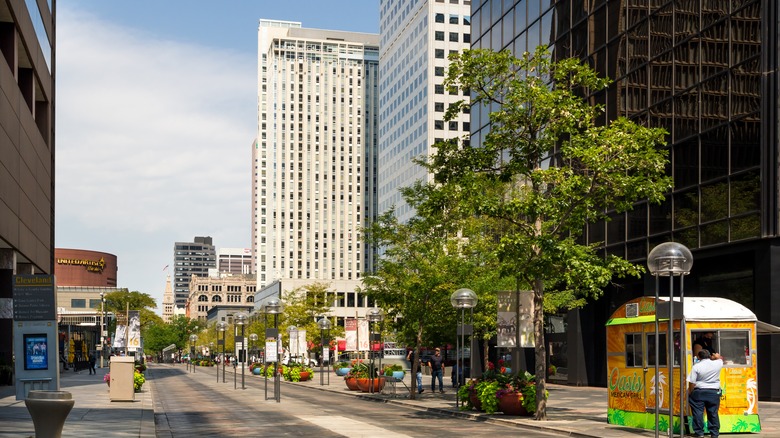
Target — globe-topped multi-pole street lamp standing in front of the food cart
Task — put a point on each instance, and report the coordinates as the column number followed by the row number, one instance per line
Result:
column 670, row 259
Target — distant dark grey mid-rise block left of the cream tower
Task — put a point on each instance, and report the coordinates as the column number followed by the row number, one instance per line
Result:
column 191, row 258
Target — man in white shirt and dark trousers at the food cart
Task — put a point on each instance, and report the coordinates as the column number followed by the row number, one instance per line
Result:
column 704, row 392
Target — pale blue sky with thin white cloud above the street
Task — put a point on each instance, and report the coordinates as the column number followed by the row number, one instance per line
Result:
column 156, row 113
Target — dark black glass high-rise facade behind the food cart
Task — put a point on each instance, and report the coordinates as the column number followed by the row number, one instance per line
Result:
column 705, row 70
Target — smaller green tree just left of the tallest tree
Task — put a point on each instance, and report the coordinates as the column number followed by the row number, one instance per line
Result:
column 424, row 261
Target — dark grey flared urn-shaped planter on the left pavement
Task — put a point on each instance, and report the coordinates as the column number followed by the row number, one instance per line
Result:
column 49, row 409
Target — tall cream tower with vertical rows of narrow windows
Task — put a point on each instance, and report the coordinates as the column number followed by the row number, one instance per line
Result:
column 313, row 184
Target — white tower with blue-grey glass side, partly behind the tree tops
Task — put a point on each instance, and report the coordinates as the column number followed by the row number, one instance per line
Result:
column 416, row 38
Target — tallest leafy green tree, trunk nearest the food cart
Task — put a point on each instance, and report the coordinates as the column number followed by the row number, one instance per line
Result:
column 545, row 170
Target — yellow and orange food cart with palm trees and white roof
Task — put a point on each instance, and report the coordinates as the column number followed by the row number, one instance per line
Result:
column 632, row 371
